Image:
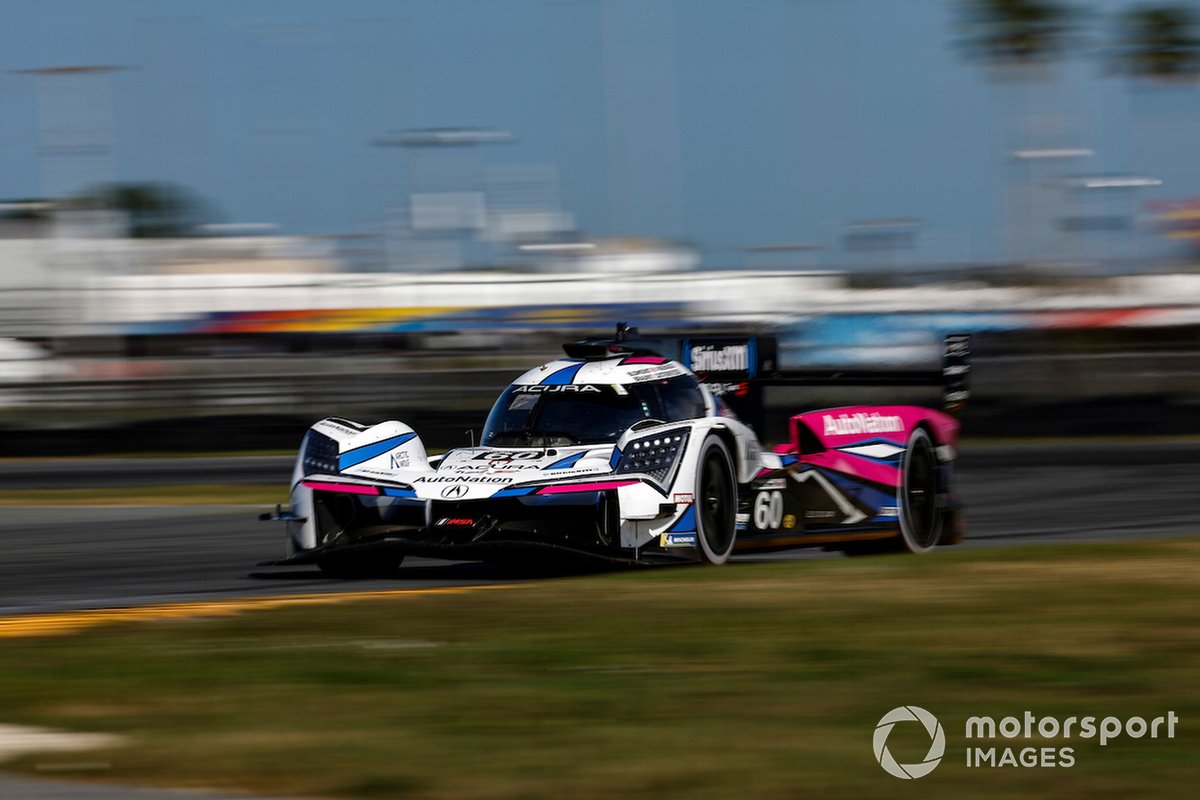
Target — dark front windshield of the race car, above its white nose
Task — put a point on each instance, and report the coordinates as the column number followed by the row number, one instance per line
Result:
column 575, row 416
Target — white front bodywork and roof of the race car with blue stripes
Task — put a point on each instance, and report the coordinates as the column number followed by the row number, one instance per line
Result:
column 655, row 508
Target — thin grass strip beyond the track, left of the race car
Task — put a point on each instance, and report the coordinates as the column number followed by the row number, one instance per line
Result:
column 177, row 495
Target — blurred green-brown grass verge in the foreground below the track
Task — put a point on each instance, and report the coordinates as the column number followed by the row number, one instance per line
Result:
column 759, row 681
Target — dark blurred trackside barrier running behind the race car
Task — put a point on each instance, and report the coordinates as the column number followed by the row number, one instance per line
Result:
column 1029, row 394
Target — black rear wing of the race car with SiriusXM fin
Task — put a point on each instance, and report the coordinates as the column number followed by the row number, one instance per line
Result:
column 737, row 369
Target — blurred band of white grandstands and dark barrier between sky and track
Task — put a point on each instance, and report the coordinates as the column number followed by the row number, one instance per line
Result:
column 227, row 344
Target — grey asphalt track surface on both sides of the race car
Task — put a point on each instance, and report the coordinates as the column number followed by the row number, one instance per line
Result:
column 101, row 557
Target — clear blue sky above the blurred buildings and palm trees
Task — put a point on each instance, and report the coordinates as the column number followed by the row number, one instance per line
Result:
column 723, row 124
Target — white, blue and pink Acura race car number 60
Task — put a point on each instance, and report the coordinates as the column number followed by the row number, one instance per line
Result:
column 620, row 453
